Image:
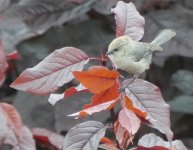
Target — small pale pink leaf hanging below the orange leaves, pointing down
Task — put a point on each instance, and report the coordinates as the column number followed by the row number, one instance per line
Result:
column 129, row 121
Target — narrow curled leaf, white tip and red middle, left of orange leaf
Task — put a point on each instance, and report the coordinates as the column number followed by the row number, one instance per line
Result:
column 56, row 97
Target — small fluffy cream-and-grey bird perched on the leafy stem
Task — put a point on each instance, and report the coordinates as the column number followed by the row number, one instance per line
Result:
column 135, row 57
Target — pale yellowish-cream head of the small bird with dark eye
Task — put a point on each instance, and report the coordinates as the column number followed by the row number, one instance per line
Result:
column 118, row 45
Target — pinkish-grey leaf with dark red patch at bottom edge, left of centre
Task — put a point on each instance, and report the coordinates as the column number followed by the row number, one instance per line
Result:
column 45, row 137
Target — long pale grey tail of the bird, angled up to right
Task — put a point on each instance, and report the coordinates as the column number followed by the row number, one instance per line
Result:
column 163, row 37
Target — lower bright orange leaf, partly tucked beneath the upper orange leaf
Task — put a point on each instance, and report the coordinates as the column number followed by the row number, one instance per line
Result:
column 105, row 96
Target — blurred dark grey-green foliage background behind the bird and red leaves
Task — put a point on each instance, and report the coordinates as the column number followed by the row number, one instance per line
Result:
column 35, row 28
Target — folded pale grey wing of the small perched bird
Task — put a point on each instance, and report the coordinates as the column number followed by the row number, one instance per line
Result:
column 141, row 49
